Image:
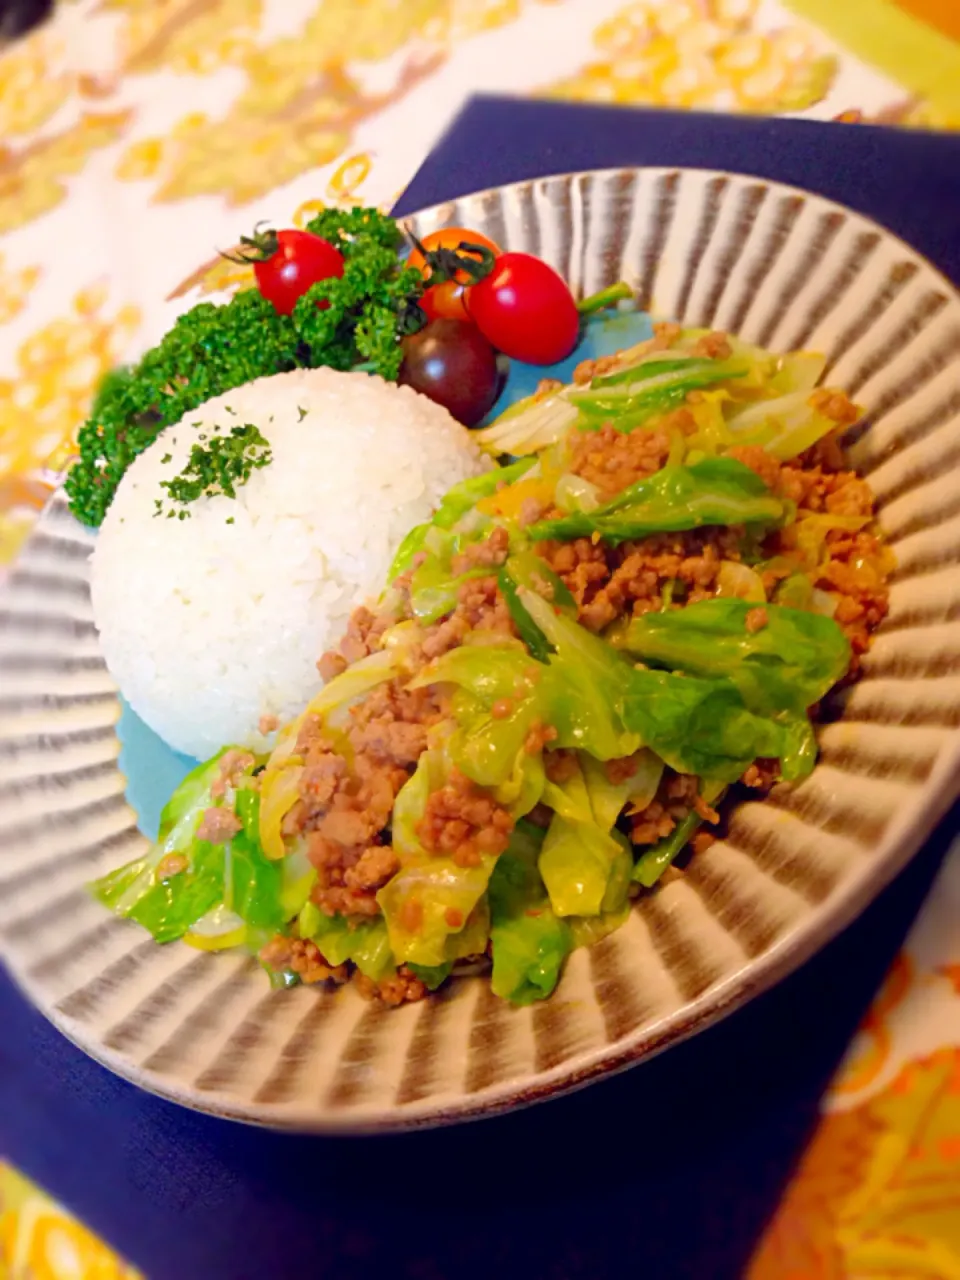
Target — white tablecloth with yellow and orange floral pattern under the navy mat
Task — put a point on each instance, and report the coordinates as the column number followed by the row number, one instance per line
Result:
column 139, row 134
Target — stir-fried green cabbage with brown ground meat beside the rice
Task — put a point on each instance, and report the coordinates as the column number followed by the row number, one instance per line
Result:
column 574, row 660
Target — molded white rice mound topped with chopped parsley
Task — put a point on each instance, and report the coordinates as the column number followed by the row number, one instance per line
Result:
column 211, row 624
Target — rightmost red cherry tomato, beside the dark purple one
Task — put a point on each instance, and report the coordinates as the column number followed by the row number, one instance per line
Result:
column 525, row 310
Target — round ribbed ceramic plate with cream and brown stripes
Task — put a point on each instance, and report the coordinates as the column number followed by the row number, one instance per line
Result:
column 784, row 269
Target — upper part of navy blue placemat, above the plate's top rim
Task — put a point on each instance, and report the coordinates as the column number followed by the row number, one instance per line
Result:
column 907, row 180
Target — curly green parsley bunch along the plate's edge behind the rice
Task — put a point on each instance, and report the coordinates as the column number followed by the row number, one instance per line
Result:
column 216, row 349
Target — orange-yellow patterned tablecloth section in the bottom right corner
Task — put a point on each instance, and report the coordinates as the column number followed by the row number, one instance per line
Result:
column 877, row 1192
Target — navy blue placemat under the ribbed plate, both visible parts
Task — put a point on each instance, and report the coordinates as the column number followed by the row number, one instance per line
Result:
column 670, row 1171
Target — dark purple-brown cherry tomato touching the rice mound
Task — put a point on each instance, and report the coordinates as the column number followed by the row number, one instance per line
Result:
column 452, row 364
